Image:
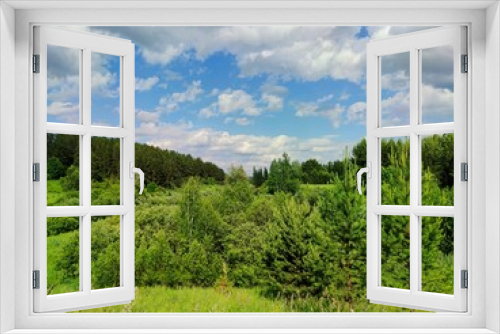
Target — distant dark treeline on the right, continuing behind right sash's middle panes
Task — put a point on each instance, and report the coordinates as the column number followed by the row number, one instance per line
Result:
column 437, row 156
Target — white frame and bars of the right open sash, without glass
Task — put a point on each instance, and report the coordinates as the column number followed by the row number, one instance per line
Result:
column 414, row 43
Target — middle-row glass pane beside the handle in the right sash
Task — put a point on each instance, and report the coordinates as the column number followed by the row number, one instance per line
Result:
column 395, row 171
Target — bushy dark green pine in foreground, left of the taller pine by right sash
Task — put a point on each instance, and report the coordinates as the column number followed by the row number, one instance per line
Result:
column 294, row 255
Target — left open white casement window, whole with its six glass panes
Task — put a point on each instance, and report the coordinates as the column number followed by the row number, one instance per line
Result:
column 68, row 128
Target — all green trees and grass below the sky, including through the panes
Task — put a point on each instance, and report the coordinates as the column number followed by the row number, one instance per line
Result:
column 291, row 237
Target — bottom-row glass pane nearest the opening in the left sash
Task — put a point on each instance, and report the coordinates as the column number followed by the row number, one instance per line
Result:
column 105, row 252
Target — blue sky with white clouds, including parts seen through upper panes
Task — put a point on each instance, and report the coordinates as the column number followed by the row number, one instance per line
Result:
column 244, row 95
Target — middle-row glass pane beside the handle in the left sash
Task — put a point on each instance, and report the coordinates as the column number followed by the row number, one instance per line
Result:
column 105, row 171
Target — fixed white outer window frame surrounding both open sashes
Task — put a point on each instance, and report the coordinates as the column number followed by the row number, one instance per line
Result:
column 483, row 308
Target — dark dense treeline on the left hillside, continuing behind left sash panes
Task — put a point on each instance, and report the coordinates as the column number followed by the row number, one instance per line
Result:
column 162, row 167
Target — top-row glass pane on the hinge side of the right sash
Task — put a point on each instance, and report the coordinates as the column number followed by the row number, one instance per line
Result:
column 437, row 84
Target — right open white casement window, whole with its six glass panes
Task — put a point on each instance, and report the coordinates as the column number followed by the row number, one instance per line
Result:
column 400, row 227
